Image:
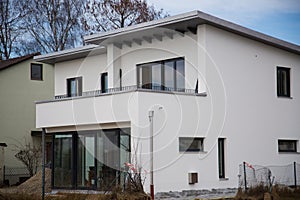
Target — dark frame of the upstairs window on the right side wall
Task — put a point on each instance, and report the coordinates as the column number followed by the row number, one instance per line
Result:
column 280, row 81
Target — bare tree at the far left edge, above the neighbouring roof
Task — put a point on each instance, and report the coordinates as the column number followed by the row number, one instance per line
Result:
column 11, row 13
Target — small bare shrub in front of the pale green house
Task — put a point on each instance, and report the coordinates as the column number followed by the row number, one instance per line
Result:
column 30, row 156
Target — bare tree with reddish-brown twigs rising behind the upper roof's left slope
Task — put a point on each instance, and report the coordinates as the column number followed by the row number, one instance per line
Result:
column 104, row 15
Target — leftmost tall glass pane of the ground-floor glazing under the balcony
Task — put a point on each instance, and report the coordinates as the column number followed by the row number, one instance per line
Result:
column 62, row 161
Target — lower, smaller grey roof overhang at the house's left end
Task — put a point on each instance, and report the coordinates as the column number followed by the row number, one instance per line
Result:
column 71, row 54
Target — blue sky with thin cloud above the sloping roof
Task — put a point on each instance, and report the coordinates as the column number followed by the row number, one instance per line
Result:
column 278, row 18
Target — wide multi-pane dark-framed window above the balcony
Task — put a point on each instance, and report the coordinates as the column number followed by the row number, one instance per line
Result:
column 162, row 75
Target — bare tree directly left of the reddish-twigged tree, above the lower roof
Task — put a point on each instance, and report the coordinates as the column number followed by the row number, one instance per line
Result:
column 54, row 25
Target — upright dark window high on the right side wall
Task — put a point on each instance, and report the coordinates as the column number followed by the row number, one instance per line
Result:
column 283, row 82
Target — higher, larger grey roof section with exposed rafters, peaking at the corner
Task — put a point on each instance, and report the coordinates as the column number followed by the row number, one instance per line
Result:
column 183, row 23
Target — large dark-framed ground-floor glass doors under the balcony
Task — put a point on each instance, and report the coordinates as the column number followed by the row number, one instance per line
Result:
column 91, row 159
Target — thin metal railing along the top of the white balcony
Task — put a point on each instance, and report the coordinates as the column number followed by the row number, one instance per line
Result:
column 131, row 88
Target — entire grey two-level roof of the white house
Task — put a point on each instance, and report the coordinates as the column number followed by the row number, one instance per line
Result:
column 179, row 23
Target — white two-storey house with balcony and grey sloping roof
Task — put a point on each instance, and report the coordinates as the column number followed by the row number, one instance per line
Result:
column 220, row 94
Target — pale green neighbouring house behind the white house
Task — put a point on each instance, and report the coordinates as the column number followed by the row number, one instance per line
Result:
column 22, row 82
